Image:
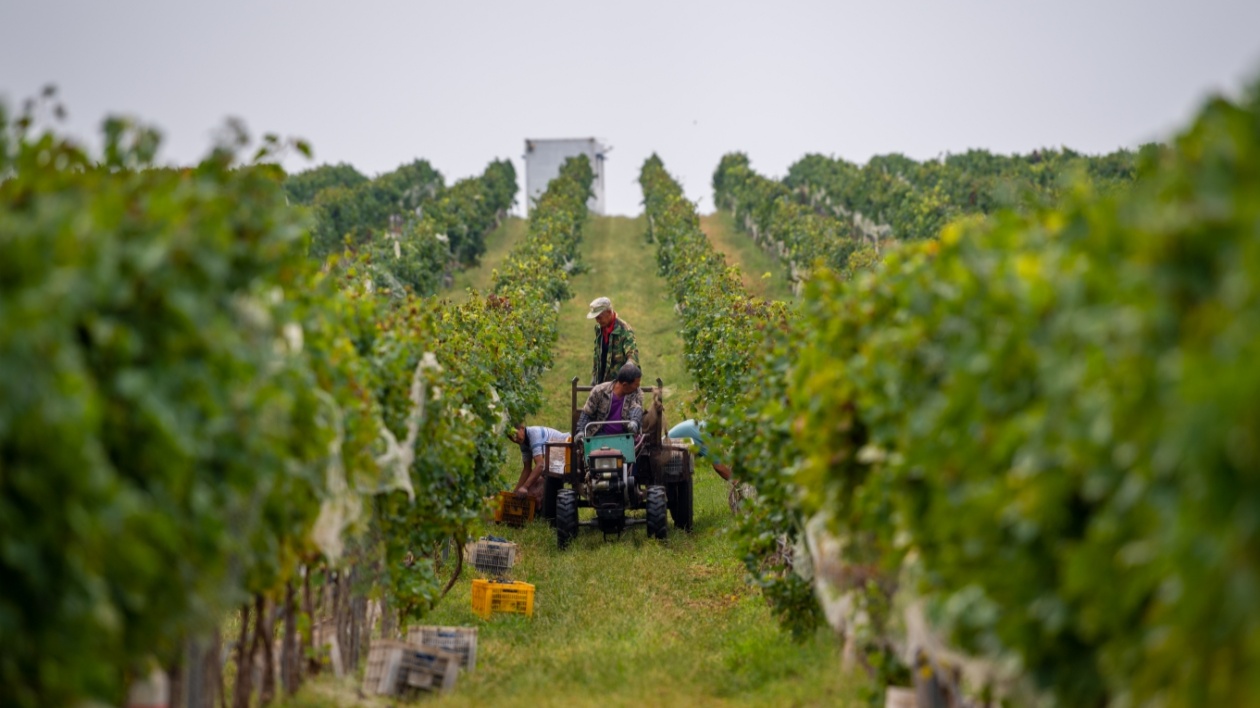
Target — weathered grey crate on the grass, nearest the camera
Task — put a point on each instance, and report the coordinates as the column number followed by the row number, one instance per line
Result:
column 409, row 671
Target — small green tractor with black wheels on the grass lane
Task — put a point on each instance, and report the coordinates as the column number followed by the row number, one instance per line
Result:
column 618, row 476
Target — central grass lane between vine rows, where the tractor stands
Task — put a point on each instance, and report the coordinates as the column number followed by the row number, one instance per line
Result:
column 631, row 622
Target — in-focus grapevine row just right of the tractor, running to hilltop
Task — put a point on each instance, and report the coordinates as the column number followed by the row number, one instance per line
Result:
column 728, row 338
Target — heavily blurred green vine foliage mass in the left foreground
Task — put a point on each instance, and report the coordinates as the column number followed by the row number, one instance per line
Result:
column 167, row 376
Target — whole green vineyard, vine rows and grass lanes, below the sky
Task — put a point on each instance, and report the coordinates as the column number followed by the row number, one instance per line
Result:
column 992, row 421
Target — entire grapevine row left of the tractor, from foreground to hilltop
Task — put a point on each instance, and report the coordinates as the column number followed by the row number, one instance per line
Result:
column 196, row 416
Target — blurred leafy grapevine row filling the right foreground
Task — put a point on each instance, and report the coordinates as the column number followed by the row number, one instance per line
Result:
column 1020, row 452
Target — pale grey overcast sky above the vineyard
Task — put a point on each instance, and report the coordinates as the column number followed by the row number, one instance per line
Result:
column 380, row 84
